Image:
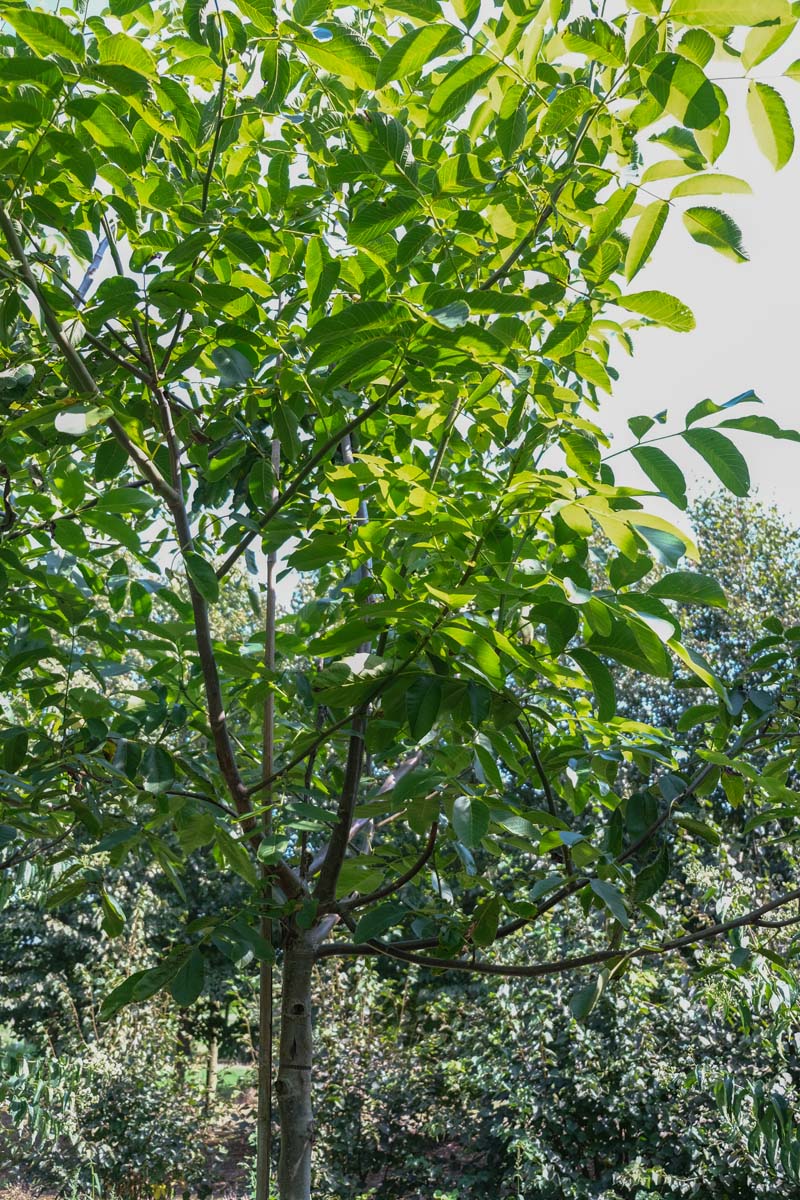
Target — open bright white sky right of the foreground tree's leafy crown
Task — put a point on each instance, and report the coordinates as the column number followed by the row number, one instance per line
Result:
column 748, row 316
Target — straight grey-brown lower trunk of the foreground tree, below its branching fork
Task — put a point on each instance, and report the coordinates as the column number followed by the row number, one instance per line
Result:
column 293, row 1088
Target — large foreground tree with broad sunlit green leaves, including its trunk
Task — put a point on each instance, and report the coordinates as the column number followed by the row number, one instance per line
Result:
column 405, row 247
